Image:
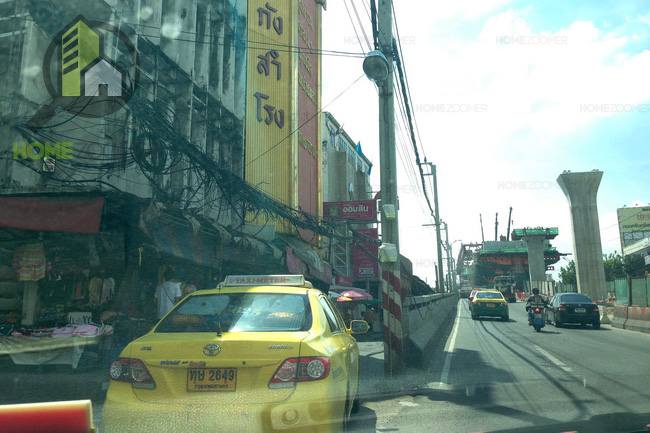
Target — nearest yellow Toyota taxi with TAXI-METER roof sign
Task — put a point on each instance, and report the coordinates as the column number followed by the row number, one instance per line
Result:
column 258, row 353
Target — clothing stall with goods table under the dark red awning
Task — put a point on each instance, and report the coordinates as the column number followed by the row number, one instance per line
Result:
column 58, row 273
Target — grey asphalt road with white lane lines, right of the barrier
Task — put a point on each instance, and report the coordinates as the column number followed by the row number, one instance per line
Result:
column 488, row 375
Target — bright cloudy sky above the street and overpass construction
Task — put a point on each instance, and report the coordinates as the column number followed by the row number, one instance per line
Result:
column 528, row 89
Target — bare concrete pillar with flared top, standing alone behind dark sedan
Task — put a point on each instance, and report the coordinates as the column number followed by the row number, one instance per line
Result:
column 581, row 190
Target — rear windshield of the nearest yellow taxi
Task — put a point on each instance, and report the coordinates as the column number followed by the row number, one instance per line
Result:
column 239, row 312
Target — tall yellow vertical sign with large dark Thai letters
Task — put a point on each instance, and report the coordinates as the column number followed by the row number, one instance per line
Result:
column 269, row 108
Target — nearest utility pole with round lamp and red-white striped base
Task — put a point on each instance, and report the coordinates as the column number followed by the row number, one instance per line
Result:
column 395, row 323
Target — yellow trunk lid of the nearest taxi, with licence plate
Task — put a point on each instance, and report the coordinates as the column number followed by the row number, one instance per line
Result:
column 205, row 369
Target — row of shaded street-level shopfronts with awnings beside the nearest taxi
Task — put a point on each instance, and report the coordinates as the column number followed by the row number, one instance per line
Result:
column 78, row 274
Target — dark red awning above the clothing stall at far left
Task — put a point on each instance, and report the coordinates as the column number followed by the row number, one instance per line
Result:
column 52, row 214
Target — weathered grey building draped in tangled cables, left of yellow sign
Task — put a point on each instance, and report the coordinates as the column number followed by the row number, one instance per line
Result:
column 122, row 155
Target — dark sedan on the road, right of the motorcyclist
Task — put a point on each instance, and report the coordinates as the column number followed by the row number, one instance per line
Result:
column 572, row 308
